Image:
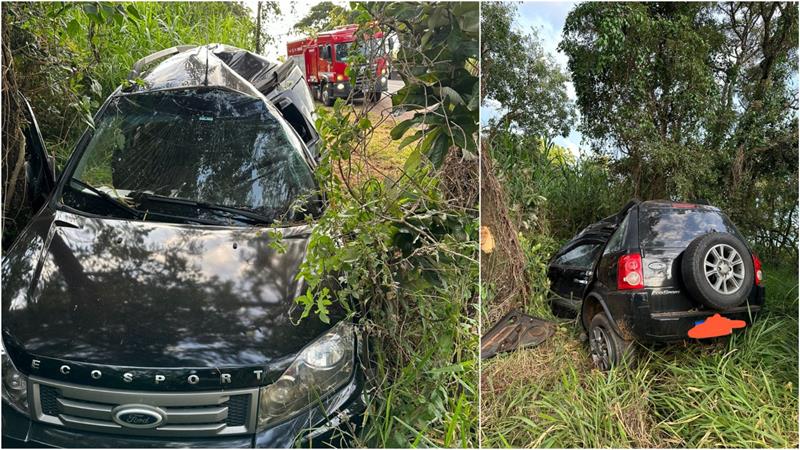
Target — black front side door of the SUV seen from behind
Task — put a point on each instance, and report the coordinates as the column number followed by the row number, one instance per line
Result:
column 572, row 269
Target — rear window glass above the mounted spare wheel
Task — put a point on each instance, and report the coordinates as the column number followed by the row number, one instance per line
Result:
column 676, row 228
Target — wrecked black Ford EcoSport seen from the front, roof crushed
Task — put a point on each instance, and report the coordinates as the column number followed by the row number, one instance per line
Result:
column 147, row 303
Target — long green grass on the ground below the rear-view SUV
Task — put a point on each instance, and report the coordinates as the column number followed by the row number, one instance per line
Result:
column 739, row 392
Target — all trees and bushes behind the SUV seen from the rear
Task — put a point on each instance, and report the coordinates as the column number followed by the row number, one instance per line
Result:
column 689, row 102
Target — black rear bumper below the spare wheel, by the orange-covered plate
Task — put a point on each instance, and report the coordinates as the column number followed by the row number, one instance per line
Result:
column 648, row 326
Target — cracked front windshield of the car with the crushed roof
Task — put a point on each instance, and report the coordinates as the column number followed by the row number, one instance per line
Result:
column 212, row 146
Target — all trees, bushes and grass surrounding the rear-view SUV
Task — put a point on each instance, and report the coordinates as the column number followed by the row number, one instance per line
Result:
column 715, row 121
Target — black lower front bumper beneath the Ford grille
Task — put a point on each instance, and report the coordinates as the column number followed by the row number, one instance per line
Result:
column 311, row 428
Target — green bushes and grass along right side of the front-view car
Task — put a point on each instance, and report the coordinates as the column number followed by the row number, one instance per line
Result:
column 403, row 247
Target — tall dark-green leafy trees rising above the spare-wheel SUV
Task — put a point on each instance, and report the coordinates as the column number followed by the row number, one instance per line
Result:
column 696, row 101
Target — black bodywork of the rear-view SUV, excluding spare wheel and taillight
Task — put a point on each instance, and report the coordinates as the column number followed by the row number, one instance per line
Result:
column 662, row 310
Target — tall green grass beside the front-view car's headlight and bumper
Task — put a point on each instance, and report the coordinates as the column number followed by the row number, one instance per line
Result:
column 431, row 401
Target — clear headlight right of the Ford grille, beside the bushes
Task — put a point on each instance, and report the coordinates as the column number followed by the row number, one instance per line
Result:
column 322, row 367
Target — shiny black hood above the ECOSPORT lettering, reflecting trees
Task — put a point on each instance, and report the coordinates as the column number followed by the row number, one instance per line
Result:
column 145, row 294
